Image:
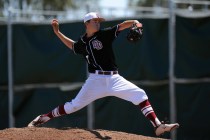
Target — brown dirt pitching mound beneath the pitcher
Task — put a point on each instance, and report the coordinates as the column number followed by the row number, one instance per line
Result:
column 43, row 133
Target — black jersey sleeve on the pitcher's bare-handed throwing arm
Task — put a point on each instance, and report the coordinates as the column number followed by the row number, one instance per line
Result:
column 79, row 47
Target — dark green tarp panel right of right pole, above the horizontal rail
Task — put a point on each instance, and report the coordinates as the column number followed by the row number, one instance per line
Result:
column 193, row 47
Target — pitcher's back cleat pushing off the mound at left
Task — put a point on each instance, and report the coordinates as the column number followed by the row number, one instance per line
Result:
column 38, row 121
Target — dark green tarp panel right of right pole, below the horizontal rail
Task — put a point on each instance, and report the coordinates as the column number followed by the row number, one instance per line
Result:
column 193, row 111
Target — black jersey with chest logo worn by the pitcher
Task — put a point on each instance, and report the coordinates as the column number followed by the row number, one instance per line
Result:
column 97, row 50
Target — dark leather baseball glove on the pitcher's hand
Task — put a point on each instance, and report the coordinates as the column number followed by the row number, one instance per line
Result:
column 135, row 34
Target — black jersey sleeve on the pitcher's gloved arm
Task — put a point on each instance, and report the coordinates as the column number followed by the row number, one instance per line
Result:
column 112, row 32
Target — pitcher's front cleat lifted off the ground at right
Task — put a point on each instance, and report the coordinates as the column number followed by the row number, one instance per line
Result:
column 162, row 128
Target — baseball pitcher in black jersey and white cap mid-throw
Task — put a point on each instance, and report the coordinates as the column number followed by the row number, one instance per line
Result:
column 104, row 79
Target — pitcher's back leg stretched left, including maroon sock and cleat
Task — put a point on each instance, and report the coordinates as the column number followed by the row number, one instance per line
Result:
column 91, row 90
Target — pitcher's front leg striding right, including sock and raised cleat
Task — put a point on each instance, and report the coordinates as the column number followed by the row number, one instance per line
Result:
column 130, row 92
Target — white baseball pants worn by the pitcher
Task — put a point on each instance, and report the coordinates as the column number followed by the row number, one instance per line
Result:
column 99, row 86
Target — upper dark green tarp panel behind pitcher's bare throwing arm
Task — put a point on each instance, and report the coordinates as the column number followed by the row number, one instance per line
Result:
column 40, row 57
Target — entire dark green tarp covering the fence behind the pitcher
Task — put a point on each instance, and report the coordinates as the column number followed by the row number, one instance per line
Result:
column 40, row 57
